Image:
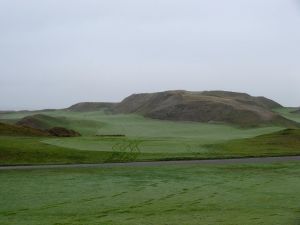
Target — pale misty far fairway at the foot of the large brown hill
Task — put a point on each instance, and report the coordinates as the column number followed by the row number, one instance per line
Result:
column 93, row 123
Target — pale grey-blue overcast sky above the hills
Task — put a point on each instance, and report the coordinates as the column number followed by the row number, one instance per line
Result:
column 54, row 53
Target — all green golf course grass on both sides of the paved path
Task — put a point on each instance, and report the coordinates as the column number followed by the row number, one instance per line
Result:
column 166, row 195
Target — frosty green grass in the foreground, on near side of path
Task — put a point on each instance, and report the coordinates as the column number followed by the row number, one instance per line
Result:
column 266, row 194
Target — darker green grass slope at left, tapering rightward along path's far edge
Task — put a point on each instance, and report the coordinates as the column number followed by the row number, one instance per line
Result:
column 30, row 150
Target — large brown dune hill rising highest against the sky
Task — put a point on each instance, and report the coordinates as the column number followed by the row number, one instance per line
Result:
column 208, row 106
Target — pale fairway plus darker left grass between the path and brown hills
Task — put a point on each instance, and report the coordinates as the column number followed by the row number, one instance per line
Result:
column 146, row 139
